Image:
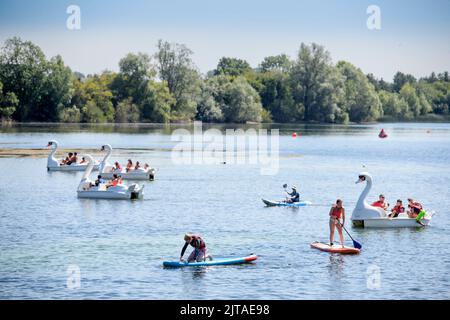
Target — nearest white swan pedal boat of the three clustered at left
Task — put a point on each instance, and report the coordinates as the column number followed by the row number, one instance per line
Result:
column 86, row 189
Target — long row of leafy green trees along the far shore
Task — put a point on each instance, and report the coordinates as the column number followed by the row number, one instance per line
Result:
column 167, row 87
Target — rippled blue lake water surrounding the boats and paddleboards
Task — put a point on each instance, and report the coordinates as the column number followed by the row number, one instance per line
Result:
column 119, row 246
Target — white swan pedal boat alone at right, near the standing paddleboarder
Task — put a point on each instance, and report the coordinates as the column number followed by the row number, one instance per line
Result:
column 367, row 216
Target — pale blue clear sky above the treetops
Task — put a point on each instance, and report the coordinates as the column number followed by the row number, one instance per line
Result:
column 414, row 35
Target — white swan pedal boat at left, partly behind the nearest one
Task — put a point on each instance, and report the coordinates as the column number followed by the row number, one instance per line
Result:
column 107, row 170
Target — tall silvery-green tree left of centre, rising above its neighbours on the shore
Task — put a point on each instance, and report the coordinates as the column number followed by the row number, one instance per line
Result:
column 175, row 67
